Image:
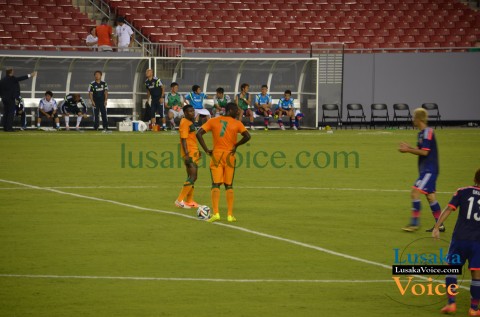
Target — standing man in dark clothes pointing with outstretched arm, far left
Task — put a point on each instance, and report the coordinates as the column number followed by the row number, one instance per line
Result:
column 9, row 90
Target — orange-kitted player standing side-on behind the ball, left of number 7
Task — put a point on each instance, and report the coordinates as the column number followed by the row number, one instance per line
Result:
column 191, row 155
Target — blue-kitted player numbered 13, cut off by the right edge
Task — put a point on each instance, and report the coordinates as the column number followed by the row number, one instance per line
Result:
column 465, row 241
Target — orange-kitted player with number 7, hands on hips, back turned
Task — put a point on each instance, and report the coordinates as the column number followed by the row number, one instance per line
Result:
column 222, row 165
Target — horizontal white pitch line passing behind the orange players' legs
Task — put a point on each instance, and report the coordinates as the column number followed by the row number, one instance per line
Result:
column 245, row 187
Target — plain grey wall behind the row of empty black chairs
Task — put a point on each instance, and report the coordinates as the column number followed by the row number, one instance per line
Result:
column 452, row 80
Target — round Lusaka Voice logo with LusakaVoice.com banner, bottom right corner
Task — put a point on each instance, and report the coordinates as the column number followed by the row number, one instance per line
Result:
column 419, row 270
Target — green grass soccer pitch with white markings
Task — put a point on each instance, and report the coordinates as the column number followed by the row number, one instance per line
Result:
column 88, row 226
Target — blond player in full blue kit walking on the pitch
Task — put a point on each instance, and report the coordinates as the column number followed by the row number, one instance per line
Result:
column 428, row 168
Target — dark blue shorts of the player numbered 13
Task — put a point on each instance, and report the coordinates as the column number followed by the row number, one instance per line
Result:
column 465, row 250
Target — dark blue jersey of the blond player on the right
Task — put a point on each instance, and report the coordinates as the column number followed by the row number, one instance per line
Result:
column 426, row 141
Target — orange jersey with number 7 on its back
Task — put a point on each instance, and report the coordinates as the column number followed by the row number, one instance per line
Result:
column 224, row 130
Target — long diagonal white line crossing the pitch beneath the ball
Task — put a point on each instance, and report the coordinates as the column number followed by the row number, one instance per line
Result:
column 258, row 233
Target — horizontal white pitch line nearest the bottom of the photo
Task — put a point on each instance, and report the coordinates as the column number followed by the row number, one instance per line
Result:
column 187, row 279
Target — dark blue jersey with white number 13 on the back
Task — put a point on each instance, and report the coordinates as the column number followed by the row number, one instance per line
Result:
column 468, row 221
